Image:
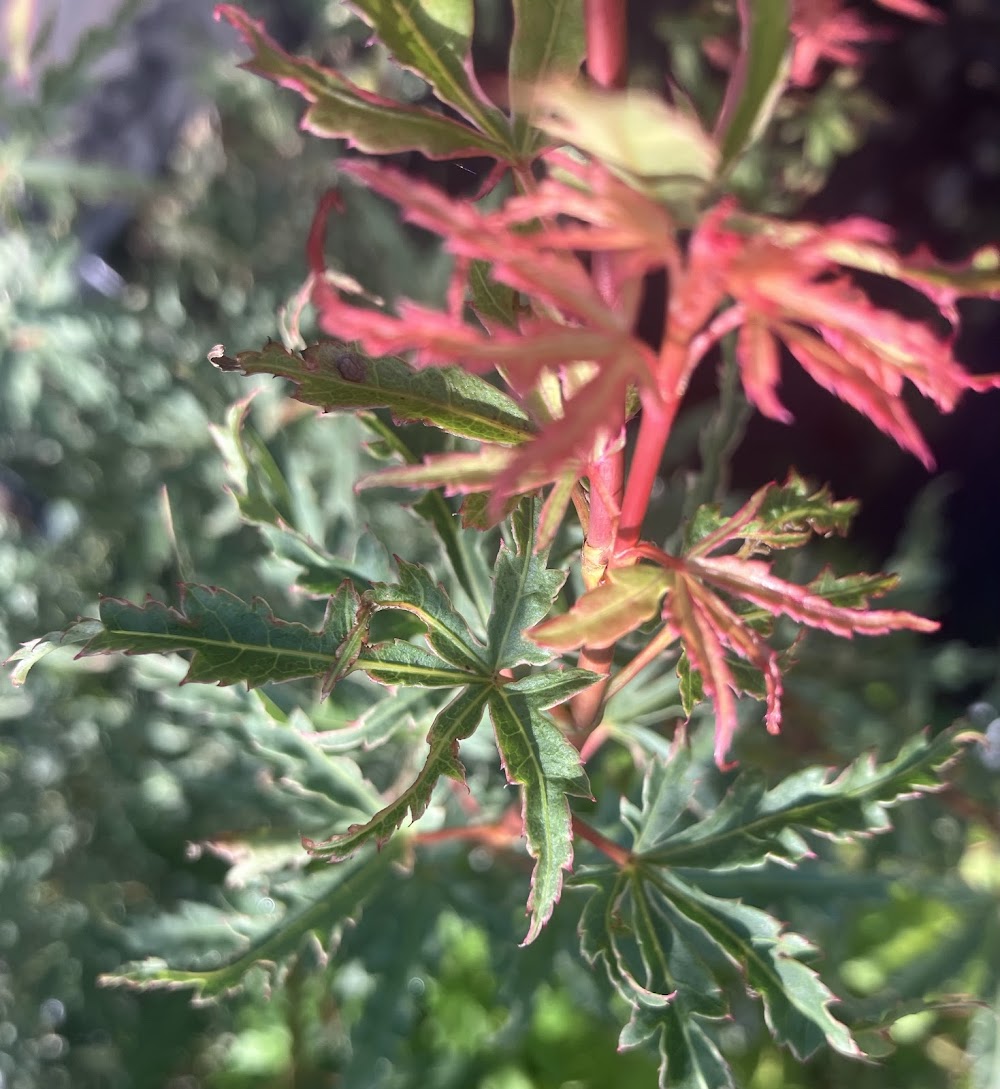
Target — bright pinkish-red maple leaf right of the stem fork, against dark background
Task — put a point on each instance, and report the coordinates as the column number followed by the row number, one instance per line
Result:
column 788, row 285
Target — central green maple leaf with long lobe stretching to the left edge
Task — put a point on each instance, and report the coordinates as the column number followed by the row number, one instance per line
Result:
column 230, row 641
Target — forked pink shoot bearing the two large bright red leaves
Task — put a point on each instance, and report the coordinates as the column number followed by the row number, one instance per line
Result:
column 776, row 283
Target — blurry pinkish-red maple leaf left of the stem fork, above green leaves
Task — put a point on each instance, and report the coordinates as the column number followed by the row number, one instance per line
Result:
column 531, row 246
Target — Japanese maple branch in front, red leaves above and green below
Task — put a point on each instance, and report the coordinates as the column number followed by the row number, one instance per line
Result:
column 555, row 606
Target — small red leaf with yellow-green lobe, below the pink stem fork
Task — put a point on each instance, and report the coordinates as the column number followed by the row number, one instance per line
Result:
column 702, row 599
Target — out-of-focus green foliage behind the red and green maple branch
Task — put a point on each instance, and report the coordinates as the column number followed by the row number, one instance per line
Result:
column 109, row 773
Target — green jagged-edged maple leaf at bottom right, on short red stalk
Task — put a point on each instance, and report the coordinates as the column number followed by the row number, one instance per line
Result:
column 676, row 951
